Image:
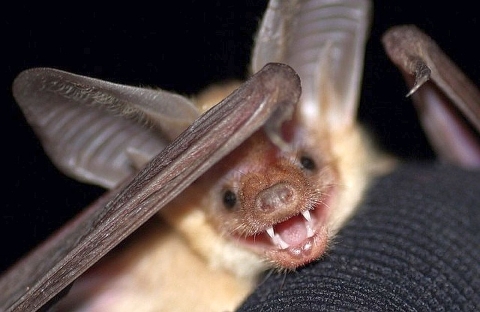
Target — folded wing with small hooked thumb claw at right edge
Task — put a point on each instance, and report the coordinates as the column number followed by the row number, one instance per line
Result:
column 441, row 93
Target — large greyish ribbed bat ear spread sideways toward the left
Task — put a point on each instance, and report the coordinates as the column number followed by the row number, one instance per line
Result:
column 87, row 126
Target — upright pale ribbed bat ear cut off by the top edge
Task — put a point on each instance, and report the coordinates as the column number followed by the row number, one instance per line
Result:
column 324, row 42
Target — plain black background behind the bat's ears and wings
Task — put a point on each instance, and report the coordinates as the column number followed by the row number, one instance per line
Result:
column 182, row 47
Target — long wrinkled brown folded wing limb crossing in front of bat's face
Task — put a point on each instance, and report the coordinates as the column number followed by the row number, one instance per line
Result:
column 55, row 264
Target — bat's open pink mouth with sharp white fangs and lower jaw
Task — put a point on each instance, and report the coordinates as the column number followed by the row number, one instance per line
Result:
column 294, row 242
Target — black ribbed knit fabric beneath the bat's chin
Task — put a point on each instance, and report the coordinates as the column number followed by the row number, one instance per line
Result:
column 414, row 245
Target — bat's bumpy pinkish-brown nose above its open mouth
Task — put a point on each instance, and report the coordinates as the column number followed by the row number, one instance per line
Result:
column 276, row 197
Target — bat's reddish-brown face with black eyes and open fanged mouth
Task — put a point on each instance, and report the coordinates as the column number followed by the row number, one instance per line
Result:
column 273, row 200
